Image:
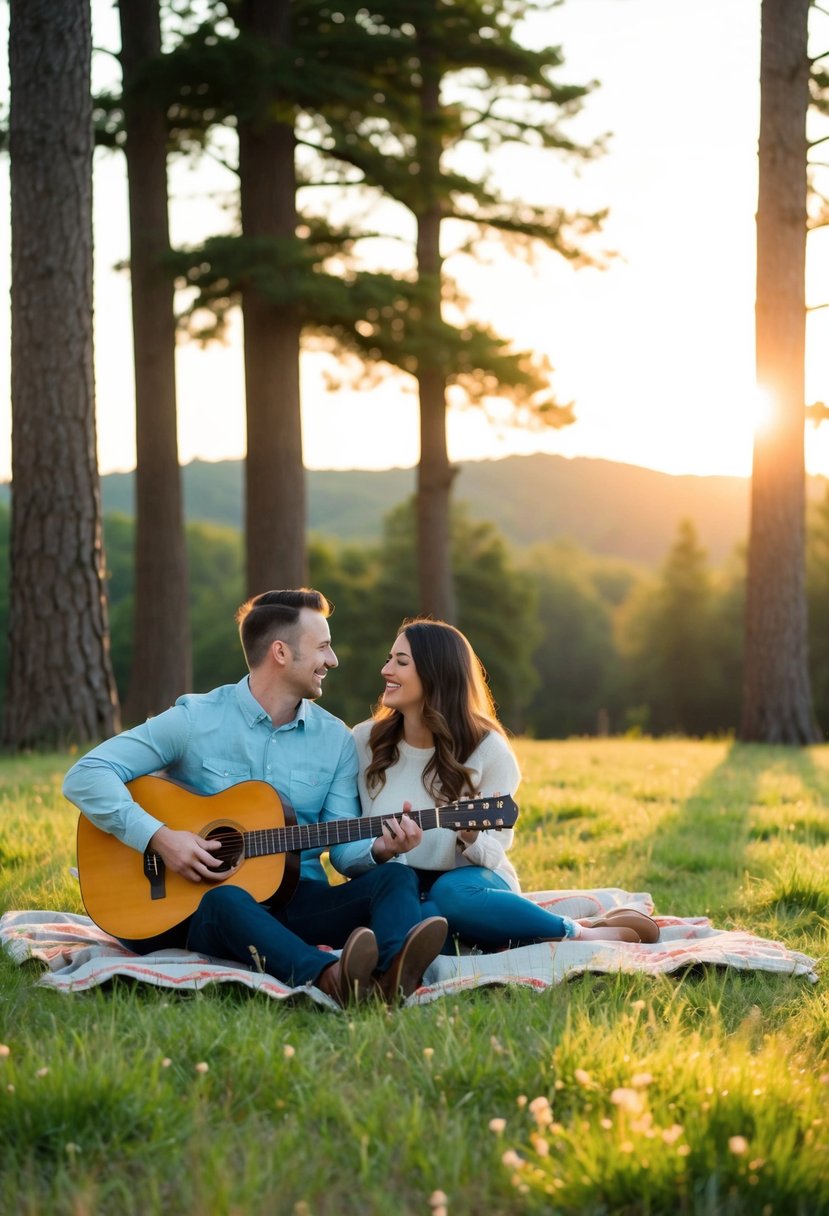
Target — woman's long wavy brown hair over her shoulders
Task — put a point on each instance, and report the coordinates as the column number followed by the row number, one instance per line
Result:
column 458, row 708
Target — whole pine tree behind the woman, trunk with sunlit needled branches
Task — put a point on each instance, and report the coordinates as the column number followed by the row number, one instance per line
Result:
column 454, row 78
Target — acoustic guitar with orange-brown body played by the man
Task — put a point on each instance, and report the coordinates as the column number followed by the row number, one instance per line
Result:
column 132, row 894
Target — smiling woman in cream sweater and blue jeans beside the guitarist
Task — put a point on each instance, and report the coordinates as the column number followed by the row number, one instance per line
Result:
column 435, row 735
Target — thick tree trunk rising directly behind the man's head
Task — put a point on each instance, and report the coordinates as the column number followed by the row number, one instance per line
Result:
column 275, row 477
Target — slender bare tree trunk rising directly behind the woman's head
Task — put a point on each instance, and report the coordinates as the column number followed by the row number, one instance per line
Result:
column 435, row 472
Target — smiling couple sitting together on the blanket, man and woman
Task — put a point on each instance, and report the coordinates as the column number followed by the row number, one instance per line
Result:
column 410, row 894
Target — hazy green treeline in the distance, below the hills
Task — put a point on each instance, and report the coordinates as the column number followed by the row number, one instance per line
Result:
column 574, row 644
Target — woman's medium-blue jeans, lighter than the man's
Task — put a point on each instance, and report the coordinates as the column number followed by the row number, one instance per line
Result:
column 484, row 911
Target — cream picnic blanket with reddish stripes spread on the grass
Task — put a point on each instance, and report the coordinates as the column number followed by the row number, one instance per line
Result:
column 80, row 956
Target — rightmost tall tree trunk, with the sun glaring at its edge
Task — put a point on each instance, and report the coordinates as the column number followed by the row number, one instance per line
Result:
column 777, row 705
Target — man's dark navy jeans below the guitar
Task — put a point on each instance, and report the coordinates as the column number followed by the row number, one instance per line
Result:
column 229, row 924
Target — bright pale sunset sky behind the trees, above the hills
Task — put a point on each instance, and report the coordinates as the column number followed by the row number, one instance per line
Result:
column 656, row 352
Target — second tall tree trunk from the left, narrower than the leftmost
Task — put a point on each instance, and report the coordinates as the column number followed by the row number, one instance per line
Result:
column 162, row 655
